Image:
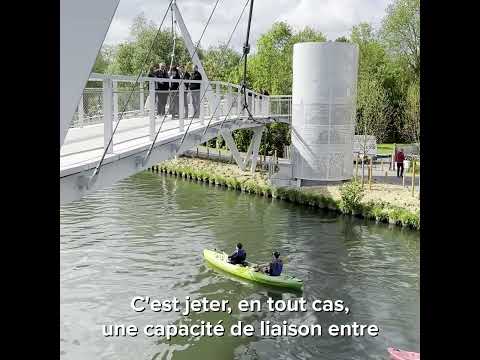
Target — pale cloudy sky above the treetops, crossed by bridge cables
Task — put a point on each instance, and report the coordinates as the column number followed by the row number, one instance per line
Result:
column 334, row 18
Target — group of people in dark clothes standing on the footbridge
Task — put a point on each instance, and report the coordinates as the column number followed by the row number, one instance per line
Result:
column 167, row 88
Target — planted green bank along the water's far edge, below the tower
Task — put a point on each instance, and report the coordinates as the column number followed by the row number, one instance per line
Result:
column 384, row 203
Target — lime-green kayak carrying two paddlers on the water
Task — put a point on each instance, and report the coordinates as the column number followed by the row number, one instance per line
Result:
column 219, row 259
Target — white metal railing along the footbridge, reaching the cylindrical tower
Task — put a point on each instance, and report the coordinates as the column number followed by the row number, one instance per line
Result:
column 222, row 96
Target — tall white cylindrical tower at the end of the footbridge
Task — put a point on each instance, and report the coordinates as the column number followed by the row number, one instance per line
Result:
column 323, row 110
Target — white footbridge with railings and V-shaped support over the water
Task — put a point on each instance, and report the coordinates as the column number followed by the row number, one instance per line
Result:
column 132, row 150
